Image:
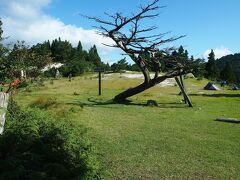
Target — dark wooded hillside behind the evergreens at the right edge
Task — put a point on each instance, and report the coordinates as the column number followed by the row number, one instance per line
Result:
column 235, row 61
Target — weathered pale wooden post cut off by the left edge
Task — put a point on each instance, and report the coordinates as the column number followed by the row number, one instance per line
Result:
column 4, row 97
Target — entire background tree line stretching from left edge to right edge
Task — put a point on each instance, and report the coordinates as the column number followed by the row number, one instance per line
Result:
column 76, row 61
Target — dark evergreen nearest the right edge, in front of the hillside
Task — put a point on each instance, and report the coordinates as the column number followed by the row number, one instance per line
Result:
column 228, row 73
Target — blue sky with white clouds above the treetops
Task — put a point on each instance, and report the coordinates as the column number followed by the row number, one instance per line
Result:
column 208, row 24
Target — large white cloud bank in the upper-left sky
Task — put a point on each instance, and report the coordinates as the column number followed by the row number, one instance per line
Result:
column 25, row 20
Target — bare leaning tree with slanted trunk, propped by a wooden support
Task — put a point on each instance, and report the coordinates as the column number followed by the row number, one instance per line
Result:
column 143, row 47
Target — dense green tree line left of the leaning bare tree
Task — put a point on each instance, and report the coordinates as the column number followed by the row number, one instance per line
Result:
column 21, row 58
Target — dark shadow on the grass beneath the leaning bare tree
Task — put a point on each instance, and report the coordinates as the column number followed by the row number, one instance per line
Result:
column 108, row 104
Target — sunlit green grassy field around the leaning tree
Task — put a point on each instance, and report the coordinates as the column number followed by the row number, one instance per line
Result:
column 134, row 141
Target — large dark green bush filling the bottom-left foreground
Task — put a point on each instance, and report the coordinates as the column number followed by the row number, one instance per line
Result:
column 36, row 146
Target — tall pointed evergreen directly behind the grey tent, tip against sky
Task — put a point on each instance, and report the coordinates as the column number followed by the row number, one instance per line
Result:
column 212, row 71
